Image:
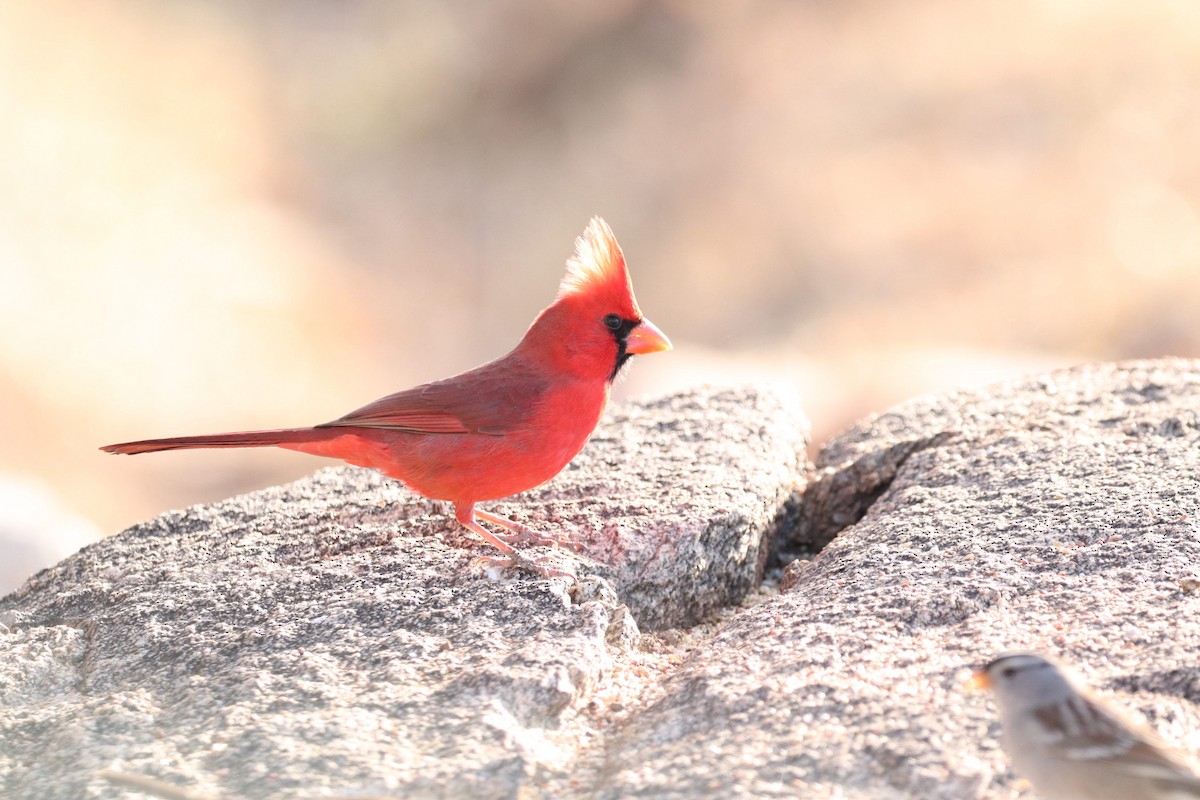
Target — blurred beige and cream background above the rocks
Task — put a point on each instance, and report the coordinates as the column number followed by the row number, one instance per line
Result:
column 225, row 215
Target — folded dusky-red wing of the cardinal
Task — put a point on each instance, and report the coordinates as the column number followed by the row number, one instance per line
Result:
column 493, row 400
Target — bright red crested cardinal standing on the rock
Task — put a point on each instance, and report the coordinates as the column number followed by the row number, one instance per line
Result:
column 501, row 429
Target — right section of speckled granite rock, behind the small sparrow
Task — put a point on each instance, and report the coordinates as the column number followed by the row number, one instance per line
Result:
column 1060, row 514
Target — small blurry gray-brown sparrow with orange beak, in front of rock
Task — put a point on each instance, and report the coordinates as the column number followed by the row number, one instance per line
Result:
column 1072, row 747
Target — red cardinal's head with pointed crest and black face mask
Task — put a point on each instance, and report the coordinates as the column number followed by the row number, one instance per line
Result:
column 595, row 324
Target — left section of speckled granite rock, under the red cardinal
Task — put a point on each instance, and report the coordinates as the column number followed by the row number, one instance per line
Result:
column 329, row 639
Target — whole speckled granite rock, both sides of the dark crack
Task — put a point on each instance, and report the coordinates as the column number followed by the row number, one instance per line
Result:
column 329, row 640
